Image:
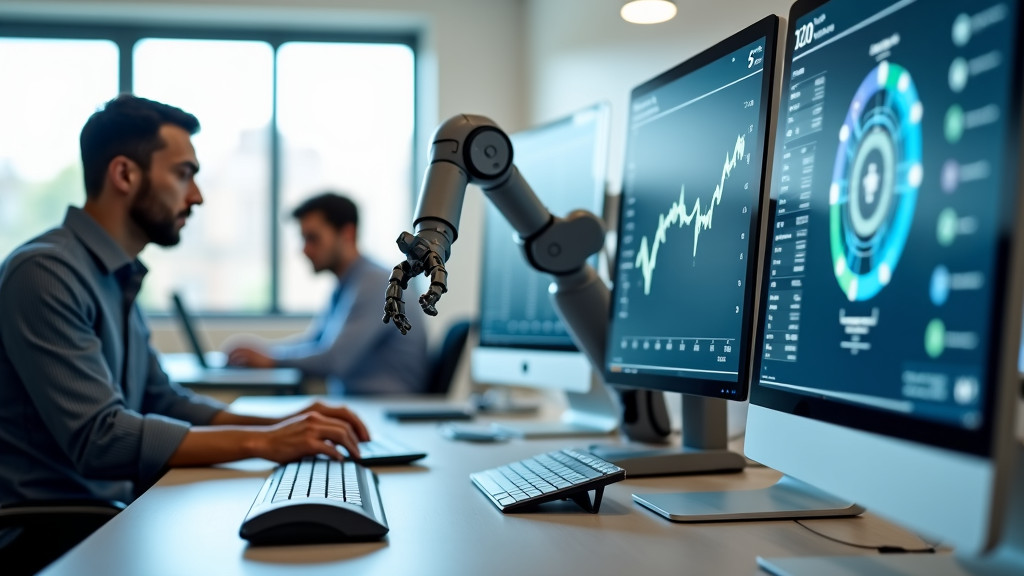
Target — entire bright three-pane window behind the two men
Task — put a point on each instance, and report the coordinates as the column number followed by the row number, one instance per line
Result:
column 282, row 117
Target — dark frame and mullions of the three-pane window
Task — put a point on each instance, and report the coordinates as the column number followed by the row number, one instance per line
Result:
column 126, row 36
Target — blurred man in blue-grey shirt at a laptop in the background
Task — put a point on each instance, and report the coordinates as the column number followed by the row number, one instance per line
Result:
column 348, row 345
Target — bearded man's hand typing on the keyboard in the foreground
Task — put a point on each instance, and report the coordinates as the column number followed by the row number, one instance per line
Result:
column 307, row 435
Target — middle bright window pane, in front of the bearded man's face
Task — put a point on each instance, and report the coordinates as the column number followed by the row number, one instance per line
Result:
column 223, row 261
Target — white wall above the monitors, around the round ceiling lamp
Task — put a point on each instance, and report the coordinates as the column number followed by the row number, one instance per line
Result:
column 582, row 52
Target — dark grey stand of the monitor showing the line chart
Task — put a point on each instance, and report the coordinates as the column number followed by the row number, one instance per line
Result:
column 704, row 450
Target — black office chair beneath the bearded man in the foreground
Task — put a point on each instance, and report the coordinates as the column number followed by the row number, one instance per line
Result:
column 48, row 529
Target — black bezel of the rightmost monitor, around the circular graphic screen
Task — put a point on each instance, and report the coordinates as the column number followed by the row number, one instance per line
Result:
column 977, row 442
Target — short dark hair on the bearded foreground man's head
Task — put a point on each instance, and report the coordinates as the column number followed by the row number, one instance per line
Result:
column 126, row 127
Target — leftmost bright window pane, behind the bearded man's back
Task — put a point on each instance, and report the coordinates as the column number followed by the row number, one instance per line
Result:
column 41, row 115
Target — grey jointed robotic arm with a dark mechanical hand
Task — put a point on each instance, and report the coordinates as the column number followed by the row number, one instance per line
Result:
column 470, row 149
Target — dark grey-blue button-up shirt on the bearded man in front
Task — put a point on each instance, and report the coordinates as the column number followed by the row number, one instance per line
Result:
column 86, row 410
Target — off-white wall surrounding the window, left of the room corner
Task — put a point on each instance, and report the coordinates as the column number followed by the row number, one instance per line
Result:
column 471, row 61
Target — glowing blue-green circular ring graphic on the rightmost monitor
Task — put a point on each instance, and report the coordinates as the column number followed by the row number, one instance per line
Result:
column 876, row 180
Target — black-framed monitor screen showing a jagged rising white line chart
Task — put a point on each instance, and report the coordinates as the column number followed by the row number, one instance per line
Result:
column 690, row 228
